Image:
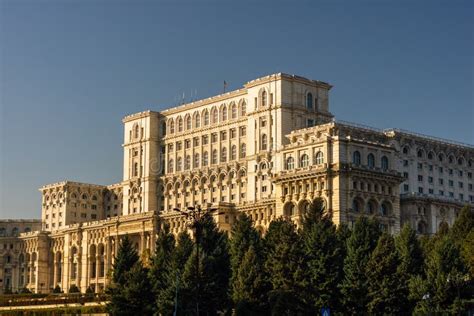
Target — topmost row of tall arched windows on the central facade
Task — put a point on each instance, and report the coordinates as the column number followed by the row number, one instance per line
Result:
column 206, row 118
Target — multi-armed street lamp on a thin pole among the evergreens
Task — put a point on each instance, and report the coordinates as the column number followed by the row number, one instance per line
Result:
column 194, row 216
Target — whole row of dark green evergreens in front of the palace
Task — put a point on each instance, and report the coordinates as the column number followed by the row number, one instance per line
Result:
column 291, row 271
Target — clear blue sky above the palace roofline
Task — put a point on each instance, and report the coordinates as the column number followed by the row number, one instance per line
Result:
column 70, row 70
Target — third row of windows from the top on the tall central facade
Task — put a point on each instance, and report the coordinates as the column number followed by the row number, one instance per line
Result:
column 203, row 161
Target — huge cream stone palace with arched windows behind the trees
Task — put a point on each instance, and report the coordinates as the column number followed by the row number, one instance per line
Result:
column 268, row 149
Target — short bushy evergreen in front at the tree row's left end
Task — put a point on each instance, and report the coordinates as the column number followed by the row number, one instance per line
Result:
column 134, row 296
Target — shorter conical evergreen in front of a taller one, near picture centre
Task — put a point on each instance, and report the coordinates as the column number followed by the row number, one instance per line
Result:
column 249, row 285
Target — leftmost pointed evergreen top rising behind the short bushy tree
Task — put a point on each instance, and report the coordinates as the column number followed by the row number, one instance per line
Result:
column 125, row 259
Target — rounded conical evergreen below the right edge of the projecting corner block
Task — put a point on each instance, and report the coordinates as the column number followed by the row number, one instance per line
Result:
column 384, row 288
